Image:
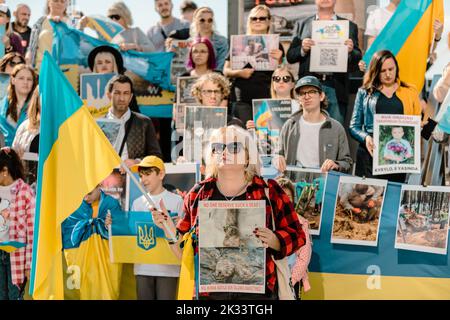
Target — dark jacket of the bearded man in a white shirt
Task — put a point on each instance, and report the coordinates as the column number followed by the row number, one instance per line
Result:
column 141, row 137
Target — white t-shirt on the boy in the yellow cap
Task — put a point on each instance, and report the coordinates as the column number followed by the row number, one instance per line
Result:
column 173, row 203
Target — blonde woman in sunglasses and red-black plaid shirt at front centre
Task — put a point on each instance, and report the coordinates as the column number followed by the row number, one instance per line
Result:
column 233, row 174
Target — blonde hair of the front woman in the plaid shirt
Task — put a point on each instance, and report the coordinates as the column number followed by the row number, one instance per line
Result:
column 252, row 165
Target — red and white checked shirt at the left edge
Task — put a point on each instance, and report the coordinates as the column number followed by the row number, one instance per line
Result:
column 21, row 229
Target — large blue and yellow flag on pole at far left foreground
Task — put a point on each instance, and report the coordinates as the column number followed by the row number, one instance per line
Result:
column 74, row 156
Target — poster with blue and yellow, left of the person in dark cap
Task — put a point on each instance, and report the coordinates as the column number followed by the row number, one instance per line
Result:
column 269, row 116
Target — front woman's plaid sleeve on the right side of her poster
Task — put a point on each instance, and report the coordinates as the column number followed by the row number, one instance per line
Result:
column 288, row 229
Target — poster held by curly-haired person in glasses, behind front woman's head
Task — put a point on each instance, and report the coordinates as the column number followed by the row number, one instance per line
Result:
column 199, row 123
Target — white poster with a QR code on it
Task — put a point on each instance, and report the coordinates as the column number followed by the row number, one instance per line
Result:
column 329, row 54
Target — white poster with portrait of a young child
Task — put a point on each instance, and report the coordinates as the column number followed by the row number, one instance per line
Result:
column 397, row 144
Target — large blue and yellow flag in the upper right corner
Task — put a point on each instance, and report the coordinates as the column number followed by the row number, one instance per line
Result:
column 409, row 36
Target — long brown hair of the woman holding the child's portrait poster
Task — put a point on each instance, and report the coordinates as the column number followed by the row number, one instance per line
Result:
column 372, row 77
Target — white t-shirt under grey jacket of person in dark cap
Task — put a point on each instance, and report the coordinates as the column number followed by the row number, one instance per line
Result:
column 308, row 145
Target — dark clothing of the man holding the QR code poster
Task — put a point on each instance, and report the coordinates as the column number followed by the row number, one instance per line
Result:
column 341, row 80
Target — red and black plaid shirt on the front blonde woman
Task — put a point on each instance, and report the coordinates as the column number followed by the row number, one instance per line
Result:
column 287, row 226
